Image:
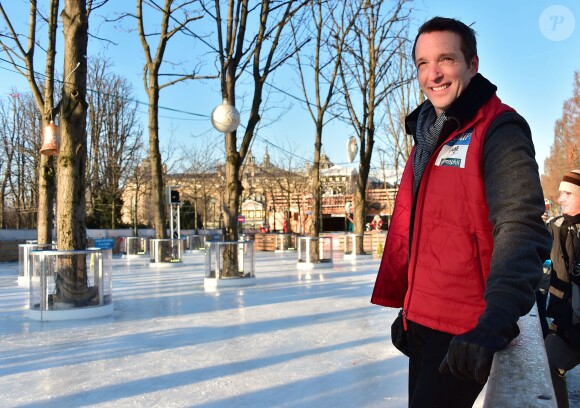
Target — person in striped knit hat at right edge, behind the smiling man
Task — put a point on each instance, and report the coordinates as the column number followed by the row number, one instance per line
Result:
column 563, row 343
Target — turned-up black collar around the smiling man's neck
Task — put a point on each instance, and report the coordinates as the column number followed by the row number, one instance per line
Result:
column 464, row 108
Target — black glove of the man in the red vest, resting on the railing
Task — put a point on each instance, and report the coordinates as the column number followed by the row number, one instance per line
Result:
column 470, row 355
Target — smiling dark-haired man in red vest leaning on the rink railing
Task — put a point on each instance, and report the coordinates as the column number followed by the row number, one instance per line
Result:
column 466, row 244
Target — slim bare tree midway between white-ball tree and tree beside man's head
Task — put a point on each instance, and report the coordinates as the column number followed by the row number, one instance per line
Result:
column 318, row 68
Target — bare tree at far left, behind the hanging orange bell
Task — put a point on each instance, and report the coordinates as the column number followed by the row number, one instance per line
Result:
column 44, row 100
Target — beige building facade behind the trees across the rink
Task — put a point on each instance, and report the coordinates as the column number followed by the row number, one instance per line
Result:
column 273, row 198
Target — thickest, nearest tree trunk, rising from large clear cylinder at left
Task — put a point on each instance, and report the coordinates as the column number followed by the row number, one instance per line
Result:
column 72, row 280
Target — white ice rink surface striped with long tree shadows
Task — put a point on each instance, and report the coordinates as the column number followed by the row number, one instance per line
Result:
column 295, row 339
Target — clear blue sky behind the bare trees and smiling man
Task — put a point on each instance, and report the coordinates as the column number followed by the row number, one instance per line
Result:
column 529, row 49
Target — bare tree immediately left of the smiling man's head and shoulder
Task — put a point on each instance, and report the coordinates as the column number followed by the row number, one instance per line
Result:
column 367, row 75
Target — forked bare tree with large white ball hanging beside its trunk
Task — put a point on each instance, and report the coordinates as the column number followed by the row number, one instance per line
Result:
column 264, row 51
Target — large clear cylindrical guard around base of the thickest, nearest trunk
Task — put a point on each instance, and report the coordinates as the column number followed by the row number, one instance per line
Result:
column 72, row 284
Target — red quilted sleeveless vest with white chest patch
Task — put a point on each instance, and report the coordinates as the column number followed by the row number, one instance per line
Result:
column 441, row 284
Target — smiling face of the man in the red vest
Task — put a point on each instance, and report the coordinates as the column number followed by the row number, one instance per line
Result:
column 442, row 70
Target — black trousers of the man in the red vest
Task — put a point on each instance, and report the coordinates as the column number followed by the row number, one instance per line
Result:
column 428, row 388
